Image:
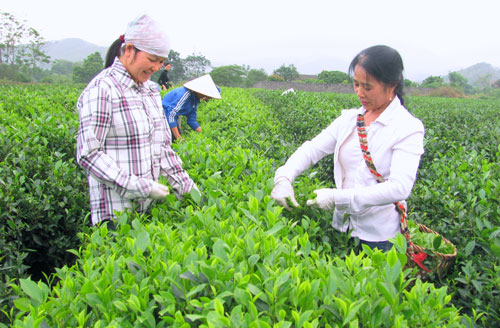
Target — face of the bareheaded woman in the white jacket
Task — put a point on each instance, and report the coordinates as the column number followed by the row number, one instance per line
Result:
column 373, row 94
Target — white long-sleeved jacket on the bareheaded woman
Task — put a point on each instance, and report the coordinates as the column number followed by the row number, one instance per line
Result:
column 395, row 141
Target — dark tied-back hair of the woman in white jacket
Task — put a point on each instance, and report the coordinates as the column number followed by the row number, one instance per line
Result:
column 384, row 64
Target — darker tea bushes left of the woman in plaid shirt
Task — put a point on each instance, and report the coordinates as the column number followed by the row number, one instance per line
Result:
column 43, row 201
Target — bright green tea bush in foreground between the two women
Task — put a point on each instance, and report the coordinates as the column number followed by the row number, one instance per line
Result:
column 228, row 260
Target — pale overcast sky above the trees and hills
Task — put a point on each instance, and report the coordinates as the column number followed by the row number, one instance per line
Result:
column 434, row 37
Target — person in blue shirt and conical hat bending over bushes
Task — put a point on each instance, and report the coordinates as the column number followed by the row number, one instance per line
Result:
column 185, row 100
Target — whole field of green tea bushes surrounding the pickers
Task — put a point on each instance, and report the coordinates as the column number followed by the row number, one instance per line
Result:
column 234, row 258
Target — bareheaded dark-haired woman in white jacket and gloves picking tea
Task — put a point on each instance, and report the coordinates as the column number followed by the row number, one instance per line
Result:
column 395, row 140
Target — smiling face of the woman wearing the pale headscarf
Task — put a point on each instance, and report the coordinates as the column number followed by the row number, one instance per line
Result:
column 140, row 64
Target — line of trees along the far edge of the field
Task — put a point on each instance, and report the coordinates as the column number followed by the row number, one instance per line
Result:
column 22, row 59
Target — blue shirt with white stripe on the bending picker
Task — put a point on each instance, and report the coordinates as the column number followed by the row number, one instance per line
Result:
column 181, row 101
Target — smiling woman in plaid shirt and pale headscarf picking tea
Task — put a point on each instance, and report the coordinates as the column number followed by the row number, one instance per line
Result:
column 124, row 142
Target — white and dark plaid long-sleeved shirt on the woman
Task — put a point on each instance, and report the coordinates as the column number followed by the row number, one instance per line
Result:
column 124, row 143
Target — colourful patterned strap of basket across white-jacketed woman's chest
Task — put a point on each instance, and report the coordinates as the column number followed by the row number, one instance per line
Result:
column 418, row 257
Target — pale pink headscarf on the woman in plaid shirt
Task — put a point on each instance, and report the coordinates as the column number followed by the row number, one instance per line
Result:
column 146, row 35
